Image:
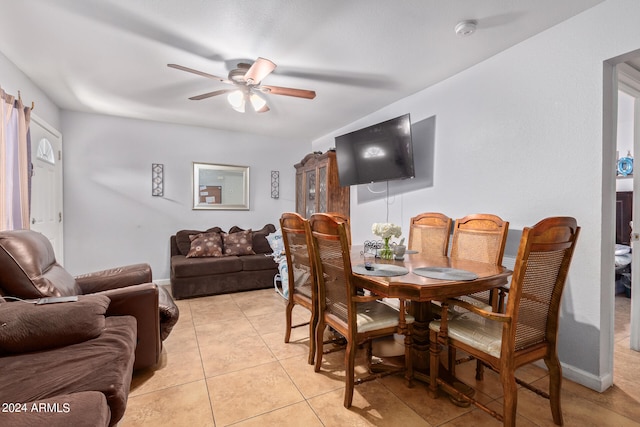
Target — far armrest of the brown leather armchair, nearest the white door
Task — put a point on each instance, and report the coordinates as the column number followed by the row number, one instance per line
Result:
column 113, row 278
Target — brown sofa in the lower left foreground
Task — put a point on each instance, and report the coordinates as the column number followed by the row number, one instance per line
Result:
column 65, row 364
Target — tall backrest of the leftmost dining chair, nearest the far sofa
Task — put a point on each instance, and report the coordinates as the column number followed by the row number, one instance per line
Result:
column 296, row 238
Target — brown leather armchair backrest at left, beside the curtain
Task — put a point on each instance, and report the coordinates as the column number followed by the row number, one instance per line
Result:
column 28, row 267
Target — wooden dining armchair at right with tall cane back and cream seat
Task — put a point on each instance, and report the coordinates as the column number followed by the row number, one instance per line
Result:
column 527, row 331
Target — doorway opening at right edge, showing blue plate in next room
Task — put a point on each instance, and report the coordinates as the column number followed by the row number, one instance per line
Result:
column 621, row 136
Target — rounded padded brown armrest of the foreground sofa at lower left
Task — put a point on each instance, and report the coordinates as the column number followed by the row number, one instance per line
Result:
column 34, row 327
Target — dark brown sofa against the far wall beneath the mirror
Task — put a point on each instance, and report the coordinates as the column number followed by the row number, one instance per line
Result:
column 212, row 275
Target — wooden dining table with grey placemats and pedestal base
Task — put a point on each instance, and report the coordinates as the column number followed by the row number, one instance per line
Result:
column 421, row 291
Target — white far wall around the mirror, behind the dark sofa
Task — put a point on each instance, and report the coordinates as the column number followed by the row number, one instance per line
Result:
column 111, row 217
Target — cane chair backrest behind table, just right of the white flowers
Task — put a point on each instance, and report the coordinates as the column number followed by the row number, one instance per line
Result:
column 429, row 233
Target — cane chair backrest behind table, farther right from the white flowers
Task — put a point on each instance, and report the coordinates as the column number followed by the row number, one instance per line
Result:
column 479, row 237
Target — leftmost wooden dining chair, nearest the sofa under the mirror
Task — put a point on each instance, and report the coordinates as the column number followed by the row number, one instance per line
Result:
column 302, row 280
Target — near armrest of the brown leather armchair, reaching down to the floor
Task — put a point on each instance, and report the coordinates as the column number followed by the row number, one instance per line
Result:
column 141, row 302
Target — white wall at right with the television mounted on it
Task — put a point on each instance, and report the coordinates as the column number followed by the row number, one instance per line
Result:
column 521, row 136
